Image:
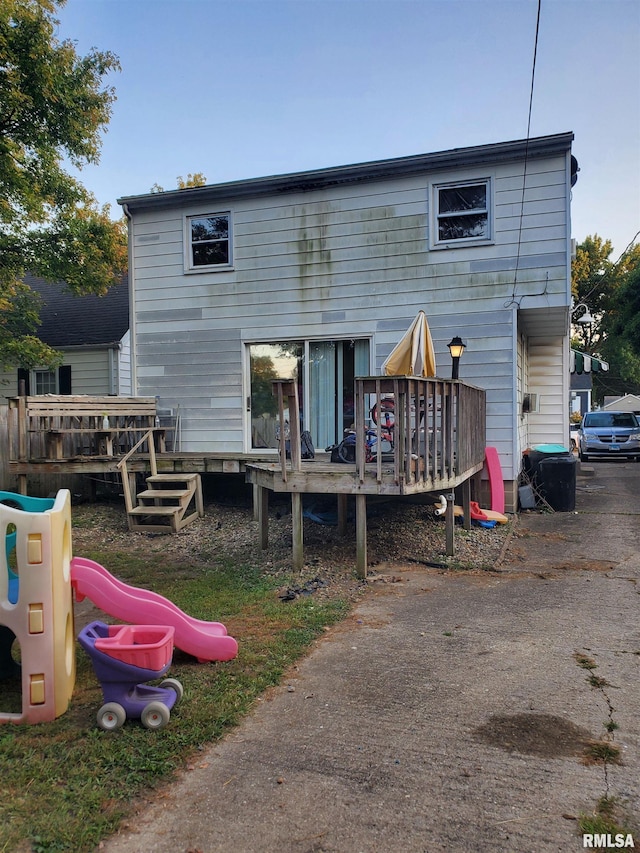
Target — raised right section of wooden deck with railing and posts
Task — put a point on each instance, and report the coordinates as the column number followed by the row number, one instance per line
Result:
column 438, row 446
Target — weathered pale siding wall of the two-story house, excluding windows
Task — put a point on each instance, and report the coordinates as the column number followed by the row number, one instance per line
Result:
column 347, row 261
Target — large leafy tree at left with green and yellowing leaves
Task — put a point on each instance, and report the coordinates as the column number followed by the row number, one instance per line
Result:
column 54, row 105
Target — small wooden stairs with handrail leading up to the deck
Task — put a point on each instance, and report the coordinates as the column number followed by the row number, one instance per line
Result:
column 167, row 504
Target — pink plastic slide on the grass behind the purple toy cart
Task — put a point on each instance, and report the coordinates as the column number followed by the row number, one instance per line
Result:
column 204, row 640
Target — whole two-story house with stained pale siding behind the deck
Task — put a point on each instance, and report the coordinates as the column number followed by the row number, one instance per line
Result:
column 320, row 273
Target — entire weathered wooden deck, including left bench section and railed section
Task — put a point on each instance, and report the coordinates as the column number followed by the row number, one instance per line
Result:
column 438, row 445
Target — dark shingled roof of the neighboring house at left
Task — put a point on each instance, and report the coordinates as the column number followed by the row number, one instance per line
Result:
column 81, row 321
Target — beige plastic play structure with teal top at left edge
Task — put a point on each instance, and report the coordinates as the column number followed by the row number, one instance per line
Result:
column 36, row 606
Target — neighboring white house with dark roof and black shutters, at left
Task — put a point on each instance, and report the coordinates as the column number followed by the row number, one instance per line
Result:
column 92, row 333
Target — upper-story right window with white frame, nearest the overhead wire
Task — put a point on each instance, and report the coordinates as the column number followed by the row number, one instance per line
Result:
column 462, row 213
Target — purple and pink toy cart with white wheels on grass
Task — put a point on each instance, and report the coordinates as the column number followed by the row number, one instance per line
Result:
column 124, row 657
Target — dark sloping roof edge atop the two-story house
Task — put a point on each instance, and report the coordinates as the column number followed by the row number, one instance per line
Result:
column 542, row 146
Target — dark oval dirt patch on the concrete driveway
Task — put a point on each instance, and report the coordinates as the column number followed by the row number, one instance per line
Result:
column 543, row 735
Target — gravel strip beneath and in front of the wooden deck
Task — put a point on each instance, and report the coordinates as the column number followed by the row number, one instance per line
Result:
column 399, row 533
